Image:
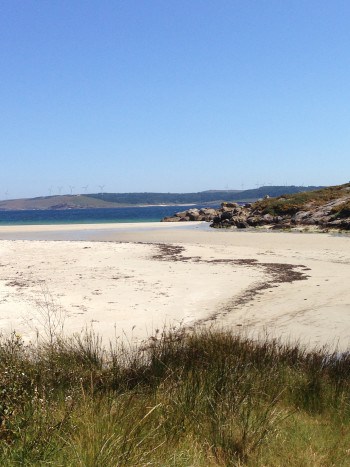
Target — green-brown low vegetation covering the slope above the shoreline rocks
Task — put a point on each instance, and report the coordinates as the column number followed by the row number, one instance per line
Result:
column 291, row 204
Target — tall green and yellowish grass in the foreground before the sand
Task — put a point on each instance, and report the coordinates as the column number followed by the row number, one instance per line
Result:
column 209, row 398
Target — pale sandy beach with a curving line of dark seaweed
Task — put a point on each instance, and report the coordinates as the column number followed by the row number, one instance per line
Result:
column 128, row 280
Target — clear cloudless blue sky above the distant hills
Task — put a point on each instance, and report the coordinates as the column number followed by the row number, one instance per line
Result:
column 172, row 95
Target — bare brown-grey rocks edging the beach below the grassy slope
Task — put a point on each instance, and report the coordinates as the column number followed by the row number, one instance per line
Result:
column 232, row 215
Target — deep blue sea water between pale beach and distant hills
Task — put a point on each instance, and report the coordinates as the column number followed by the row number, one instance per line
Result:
column 90, row 216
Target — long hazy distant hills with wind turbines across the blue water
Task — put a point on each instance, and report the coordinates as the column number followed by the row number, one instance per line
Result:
column 115, row 200
